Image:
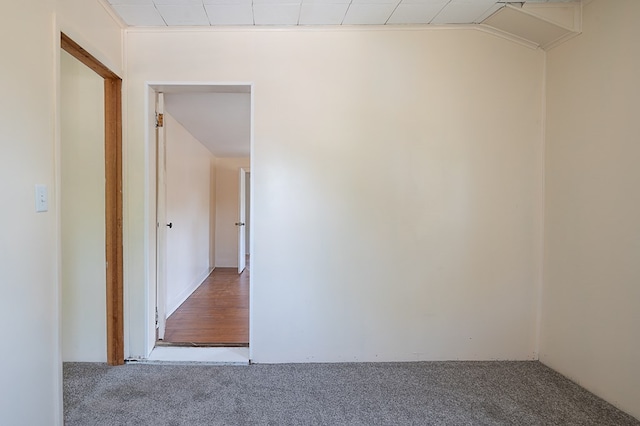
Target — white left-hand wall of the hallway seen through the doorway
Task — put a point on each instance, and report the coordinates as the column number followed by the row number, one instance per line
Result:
column 188, row 181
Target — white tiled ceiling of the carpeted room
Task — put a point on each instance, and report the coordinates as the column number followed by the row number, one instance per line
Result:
column 306, row 12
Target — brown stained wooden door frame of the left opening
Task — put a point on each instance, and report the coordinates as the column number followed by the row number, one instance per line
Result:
column 113, row 197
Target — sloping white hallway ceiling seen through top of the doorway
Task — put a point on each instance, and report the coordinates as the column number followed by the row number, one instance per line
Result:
column 220, row 121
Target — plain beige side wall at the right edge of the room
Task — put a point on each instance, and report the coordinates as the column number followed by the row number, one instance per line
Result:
column 591, row 304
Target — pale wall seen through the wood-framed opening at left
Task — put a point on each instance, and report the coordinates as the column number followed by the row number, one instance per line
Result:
column 82, row 205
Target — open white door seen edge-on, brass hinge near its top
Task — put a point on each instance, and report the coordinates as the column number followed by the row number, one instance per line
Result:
column 161, row 213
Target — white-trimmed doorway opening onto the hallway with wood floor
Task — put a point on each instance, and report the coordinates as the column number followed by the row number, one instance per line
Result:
column 205, row 305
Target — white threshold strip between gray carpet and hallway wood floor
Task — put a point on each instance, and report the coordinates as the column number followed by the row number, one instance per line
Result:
column 198, row 355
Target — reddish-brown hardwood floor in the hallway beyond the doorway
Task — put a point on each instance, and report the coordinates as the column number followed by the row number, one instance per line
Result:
column 216, row 314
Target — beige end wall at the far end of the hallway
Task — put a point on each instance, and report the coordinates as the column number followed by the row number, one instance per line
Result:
column 227, row 190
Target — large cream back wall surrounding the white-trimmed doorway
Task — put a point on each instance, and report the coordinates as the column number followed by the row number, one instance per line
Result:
column 397, row 180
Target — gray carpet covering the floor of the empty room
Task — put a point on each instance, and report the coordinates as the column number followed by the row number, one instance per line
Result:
column 424, row 393
